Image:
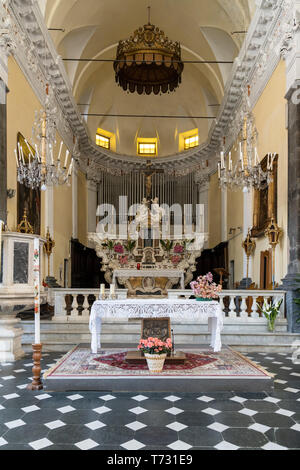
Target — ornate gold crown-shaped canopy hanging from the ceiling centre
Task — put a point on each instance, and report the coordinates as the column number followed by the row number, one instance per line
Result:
column 148, row 62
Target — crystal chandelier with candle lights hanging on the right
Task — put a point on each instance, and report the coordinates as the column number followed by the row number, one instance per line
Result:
column 247, row 172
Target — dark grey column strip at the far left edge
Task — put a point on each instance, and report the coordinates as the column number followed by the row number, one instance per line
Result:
column 3, row 153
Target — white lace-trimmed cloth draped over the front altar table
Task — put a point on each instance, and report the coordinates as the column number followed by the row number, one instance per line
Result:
column 181, row 309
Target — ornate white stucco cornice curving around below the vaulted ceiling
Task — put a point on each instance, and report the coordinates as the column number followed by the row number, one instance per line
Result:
column 24, row 34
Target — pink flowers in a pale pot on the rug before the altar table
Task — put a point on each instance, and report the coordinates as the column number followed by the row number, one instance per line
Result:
column 155, row 351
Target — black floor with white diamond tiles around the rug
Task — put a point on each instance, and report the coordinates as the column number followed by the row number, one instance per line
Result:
column 150, row 421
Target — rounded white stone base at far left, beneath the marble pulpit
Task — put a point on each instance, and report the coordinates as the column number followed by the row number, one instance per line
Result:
column 10, row 339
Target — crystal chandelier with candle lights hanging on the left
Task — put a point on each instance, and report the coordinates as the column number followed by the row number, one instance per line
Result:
column 36, row 167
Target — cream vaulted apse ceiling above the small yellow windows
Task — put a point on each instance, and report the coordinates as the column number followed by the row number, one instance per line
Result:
column 94, row 27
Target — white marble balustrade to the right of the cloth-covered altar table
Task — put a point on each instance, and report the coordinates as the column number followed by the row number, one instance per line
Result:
column 240, row 304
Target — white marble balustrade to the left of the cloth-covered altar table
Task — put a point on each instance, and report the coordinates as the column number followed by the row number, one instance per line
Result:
column 76, row 303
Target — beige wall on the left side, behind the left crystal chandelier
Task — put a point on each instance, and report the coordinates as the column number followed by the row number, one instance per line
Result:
column 21, row 106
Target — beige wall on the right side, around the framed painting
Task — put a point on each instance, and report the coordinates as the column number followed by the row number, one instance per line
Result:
column 270, row 118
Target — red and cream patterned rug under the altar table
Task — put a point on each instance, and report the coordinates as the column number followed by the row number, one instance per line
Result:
column 80, row 362
